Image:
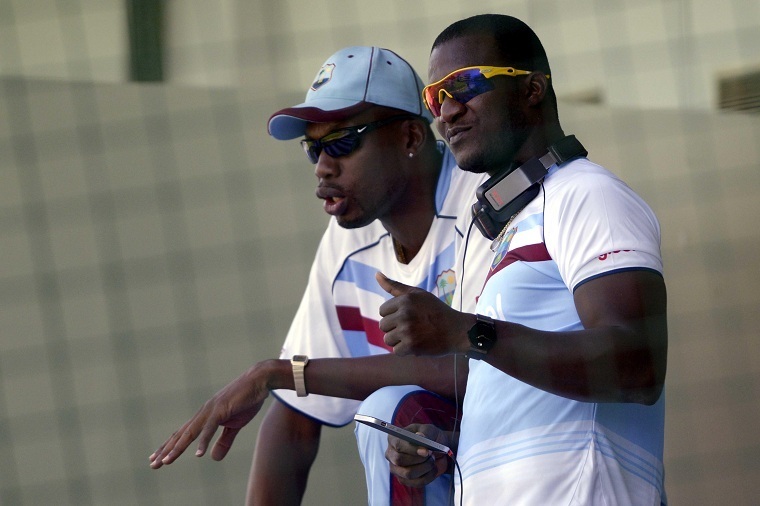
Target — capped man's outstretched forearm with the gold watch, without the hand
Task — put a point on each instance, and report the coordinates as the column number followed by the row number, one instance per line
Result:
column 356, row 378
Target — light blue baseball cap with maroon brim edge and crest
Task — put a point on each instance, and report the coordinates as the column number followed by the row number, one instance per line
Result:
column 350, row 81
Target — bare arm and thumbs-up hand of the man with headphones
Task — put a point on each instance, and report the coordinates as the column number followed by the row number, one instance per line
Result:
column 619, row 356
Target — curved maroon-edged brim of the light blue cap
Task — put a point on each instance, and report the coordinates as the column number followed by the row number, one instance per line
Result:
column 291, row 122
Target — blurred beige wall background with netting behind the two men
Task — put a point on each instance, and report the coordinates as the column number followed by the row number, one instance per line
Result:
column 155, row 242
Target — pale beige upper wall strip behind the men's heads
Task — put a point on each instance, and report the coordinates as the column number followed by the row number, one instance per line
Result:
column 643, row 54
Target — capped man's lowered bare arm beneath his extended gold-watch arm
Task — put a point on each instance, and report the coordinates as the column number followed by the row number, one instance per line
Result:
column 286, row 447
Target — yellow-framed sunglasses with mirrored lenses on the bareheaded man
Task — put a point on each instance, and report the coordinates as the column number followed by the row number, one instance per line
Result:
column 464, row 84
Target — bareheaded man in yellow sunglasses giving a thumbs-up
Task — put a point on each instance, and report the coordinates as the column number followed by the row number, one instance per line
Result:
column 568, row 341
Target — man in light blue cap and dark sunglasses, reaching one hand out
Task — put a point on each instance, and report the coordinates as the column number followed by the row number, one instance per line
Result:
column 394, row 193
